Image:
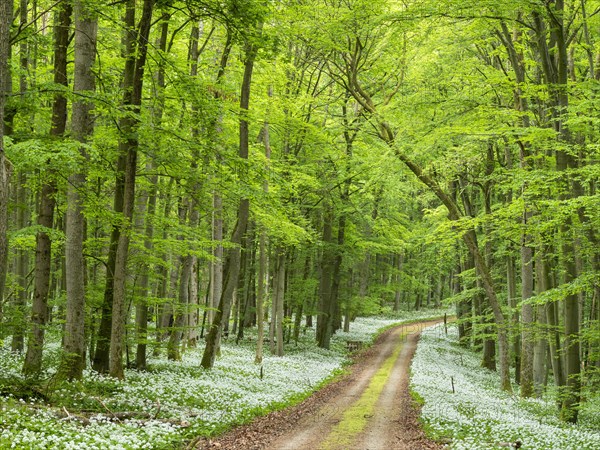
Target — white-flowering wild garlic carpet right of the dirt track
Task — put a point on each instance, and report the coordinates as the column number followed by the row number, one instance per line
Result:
column 478, row 415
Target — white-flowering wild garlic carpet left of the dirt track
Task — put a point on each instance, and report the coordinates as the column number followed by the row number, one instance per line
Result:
column 176, row 399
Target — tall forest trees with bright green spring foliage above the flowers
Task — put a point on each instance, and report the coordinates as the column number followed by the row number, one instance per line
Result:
column 175, row 174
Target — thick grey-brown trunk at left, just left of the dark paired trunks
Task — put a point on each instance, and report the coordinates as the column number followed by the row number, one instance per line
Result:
column 73, row 358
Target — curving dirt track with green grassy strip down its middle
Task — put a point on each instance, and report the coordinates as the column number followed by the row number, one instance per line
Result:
column 370, row 407
